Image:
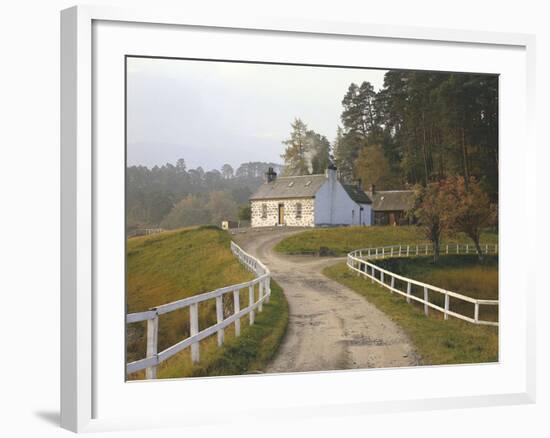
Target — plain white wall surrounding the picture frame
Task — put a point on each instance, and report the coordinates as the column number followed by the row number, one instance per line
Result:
column 29, row 219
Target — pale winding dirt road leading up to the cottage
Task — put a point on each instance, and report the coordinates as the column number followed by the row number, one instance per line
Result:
column 330, row 326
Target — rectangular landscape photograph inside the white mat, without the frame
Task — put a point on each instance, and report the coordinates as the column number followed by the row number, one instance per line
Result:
column 288, row 218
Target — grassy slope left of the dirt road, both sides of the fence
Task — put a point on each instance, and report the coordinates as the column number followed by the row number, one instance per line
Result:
column 178, row 264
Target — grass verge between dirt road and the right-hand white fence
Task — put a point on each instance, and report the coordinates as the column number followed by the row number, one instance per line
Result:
column 437, row 341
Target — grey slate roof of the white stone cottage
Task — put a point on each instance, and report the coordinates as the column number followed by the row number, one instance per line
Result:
column 285, row 187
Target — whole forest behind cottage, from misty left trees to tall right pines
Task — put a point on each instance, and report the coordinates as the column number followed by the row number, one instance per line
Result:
column 419, row 128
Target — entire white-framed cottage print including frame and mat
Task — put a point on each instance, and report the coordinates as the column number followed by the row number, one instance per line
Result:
column 257, row 209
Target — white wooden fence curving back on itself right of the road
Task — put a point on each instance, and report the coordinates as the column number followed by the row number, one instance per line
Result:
column 357, row 261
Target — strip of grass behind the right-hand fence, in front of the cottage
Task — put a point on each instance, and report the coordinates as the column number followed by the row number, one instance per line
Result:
column 341, row 240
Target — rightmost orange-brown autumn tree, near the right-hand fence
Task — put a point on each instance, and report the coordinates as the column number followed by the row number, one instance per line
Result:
column 470, row 209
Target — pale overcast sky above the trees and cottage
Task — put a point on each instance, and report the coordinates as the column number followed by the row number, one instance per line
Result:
column 211, row 113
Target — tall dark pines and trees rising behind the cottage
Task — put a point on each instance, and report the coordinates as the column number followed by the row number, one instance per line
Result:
column 421, row 127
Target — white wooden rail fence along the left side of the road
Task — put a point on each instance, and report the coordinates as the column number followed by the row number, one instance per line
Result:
column 154, row 358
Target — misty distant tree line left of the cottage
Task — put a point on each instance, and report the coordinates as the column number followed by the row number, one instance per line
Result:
column 173, row 196
